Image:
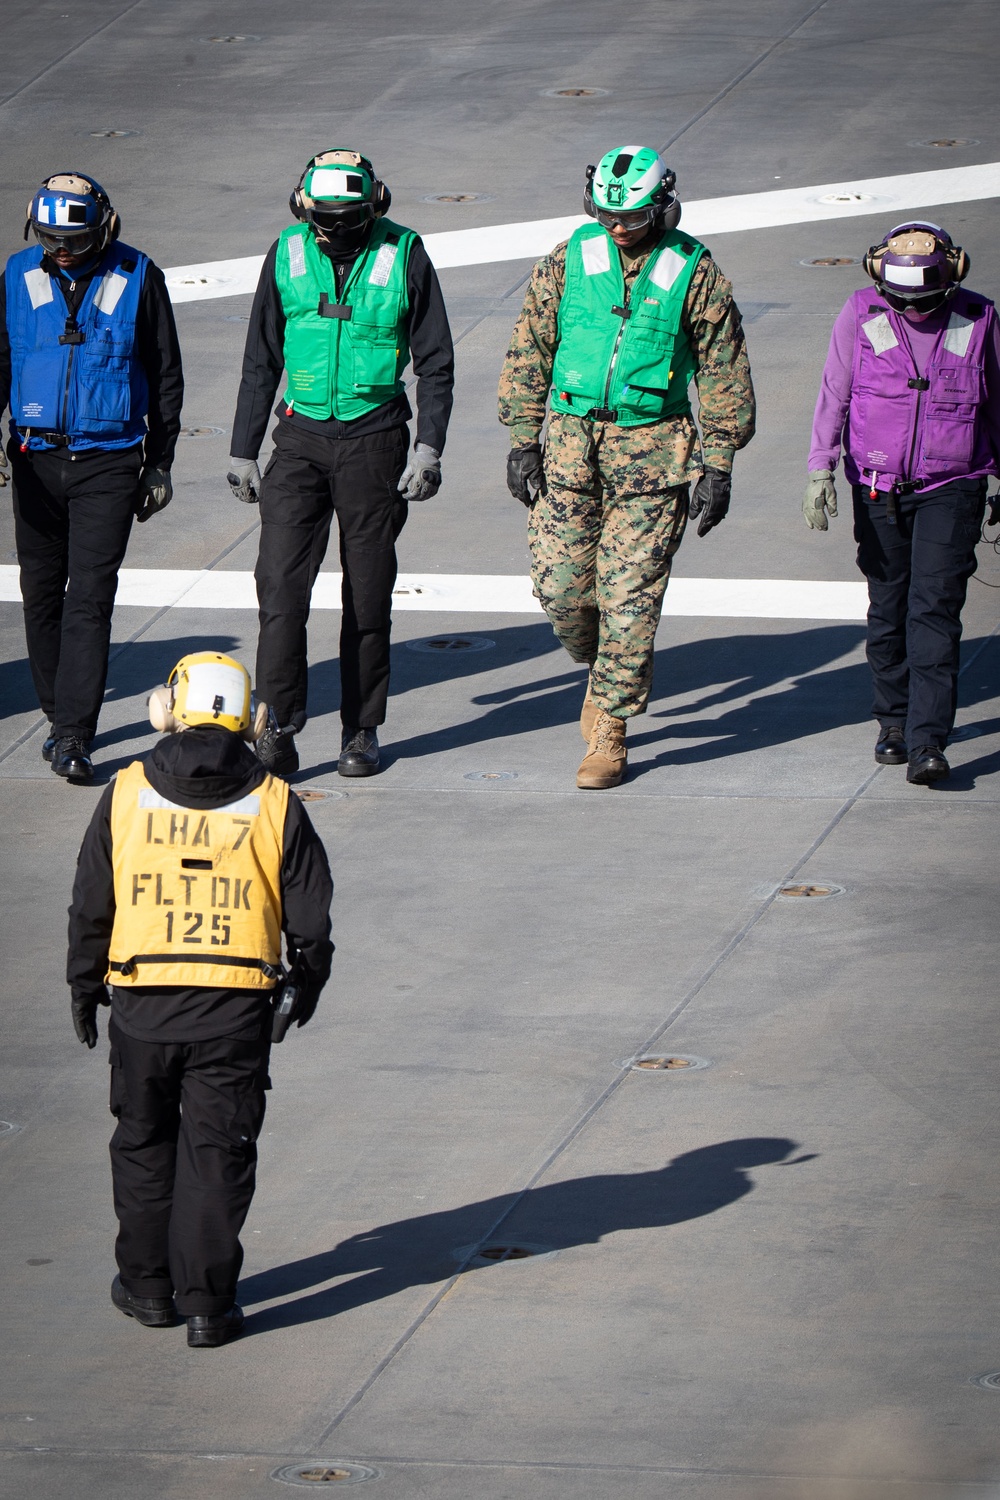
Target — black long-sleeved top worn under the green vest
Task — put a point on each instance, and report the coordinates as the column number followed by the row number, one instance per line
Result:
column 430, row 346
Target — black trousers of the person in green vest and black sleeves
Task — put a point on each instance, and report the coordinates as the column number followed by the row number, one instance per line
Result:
column 307, row 482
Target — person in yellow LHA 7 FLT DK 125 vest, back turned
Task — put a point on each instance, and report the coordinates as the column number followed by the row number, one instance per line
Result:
column 196, row 863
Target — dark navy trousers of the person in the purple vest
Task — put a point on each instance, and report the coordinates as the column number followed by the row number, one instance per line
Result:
column 918, row 572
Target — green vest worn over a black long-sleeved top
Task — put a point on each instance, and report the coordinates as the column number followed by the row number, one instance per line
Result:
column 344, row 358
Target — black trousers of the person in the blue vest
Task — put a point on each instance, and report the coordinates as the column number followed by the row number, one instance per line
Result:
column 71, row 523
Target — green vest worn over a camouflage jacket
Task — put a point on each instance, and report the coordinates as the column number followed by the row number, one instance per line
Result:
column 627, row 359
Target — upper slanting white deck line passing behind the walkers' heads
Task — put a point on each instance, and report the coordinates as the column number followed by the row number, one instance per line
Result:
column 890, row 197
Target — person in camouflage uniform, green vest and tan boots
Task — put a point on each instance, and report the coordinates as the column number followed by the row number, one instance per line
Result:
column 617, row 325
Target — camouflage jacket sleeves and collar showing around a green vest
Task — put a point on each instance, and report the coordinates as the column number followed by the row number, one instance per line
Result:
column 714, row 331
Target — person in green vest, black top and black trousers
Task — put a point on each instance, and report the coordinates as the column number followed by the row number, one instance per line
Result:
column 347, row 299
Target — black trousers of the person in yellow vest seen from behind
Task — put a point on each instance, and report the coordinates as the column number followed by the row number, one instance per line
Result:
column 184, row 1165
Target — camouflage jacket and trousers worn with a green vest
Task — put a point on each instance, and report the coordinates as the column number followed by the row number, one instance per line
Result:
column 615, row 500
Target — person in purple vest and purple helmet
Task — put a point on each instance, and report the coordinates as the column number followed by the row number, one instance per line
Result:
column 912, row 394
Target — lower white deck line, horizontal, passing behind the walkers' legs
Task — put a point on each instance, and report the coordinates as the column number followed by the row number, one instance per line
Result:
column 488, row 595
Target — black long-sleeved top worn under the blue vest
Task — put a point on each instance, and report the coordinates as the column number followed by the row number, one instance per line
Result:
column 157, row 347
